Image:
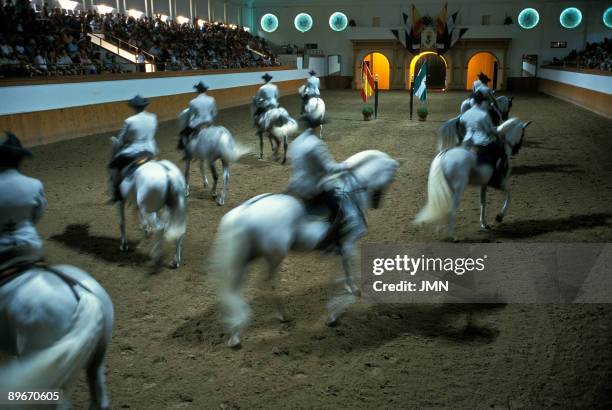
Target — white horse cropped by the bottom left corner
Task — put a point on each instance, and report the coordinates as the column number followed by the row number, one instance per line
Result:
column 55, row 322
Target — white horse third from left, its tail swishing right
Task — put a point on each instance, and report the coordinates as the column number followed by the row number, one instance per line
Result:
column 210, row 145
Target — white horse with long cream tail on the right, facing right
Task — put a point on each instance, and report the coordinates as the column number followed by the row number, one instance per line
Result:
column 452, row 170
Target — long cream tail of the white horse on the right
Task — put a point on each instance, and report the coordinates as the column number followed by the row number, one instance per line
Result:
column 439, row 195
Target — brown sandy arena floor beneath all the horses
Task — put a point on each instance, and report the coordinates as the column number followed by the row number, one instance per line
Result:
column 169, row 348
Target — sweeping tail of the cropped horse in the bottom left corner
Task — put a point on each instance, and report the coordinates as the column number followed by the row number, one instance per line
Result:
column 56, row 366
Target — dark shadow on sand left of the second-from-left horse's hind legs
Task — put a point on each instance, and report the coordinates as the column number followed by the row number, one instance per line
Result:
column 77, row 236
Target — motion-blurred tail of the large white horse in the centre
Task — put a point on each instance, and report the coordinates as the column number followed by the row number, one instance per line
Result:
column 229, row 259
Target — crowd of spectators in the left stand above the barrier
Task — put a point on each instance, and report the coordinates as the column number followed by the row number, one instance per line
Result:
column 54, row 42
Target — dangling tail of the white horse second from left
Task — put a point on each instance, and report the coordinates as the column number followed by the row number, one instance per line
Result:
column 175, row 218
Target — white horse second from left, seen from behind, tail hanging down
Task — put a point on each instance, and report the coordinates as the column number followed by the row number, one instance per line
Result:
column 156, row 186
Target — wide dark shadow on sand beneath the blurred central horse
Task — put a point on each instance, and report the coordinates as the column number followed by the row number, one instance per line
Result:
column 357, row 329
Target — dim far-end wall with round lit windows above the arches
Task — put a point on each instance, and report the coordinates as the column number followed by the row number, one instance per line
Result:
column 535, row 41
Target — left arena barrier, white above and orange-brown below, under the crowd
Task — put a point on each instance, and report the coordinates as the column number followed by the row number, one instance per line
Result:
column 42, row 113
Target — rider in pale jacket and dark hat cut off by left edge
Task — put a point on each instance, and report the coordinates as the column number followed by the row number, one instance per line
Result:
column 22, row 204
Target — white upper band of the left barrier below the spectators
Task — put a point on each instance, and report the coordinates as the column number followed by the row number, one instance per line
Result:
column 31, row 98
